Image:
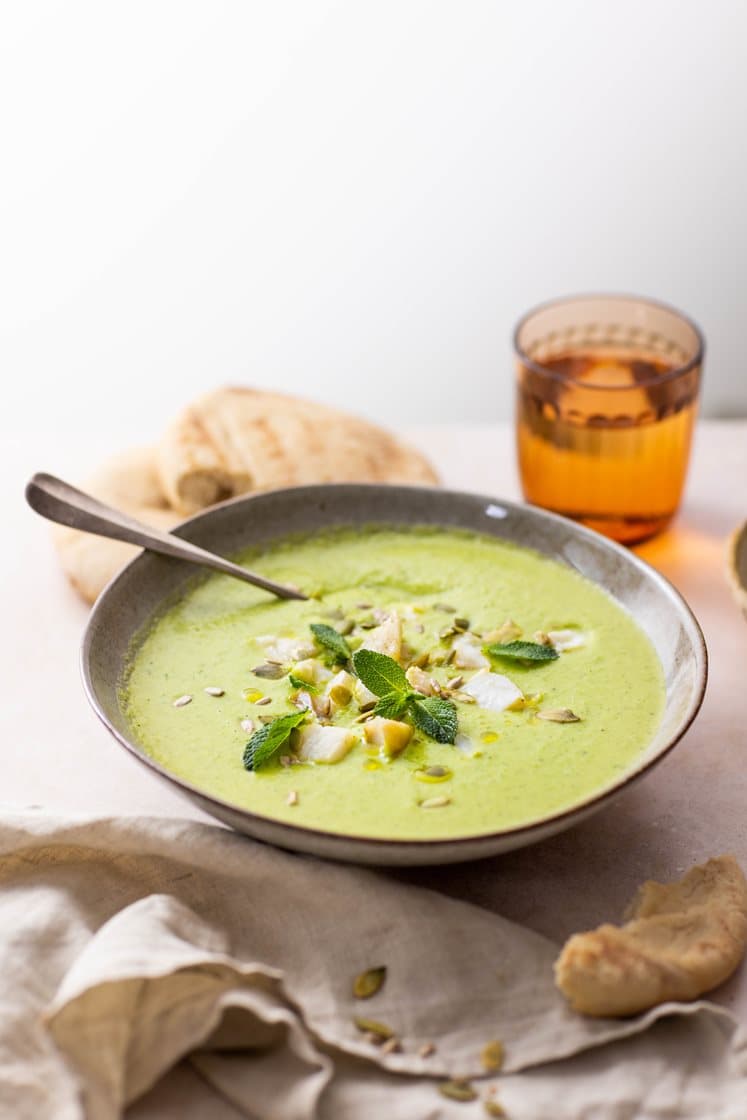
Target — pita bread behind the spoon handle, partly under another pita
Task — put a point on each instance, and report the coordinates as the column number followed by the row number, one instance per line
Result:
column 129, row 483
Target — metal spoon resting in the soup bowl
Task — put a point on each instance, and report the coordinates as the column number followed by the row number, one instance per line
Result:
column 58, row 501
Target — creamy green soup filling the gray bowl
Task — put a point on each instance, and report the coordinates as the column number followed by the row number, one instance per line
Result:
column 446, row 590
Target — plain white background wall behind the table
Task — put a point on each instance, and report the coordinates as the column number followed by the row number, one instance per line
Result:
column 354, row 201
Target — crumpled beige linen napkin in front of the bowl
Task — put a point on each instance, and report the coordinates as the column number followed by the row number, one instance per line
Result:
column 183, row 967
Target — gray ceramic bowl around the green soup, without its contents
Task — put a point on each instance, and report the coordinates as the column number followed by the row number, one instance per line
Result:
column 150, row 582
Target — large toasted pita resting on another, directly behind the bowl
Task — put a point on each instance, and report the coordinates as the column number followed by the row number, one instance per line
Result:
column 236, row 441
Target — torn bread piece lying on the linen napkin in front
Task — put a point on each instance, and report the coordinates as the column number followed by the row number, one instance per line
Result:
column 683, row 939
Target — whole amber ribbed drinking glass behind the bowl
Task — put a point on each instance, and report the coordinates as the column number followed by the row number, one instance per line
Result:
column 608, row 396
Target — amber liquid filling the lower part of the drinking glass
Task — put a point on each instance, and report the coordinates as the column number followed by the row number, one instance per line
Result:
column 604, row 437
